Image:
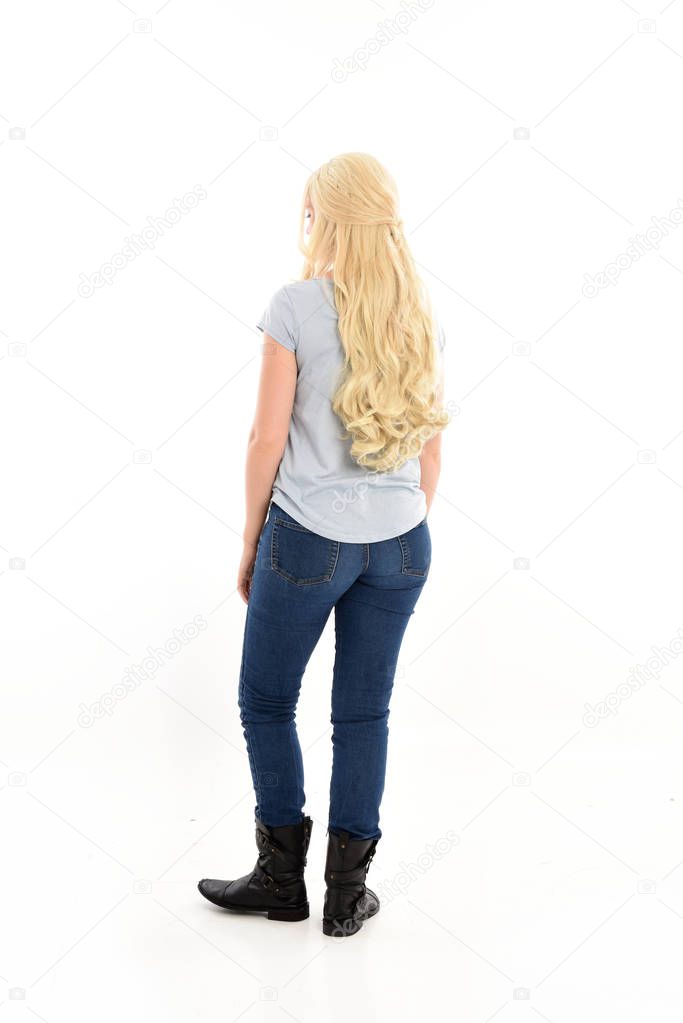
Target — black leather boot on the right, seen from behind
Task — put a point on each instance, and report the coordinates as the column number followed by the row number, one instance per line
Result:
column 348, row 902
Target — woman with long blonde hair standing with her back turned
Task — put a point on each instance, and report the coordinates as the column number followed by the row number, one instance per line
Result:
column 343, row 463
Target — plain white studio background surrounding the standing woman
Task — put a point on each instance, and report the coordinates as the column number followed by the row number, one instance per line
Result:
column 561, row 891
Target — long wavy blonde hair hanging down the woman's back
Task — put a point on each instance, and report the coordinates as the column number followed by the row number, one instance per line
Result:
column 388, row 397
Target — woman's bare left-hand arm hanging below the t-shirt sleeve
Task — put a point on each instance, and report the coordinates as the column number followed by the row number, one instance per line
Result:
column 266, row 447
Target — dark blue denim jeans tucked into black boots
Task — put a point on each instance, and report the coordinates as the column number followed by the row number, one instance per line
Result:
column 299, row 579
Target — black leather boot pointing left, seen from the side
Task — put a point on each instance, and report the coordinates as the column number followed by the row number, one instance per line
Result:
column 277, row 885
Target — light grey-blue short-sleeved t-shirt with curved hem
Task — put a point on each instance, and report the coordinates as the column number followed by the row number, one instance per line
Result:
column 318, row 483
